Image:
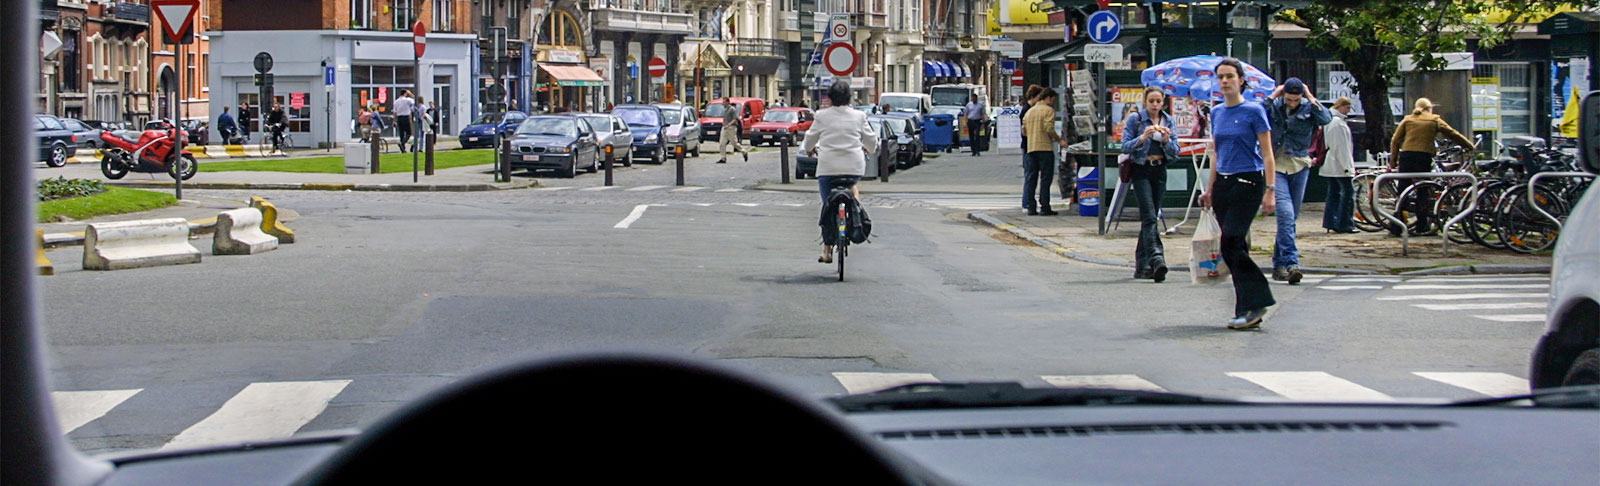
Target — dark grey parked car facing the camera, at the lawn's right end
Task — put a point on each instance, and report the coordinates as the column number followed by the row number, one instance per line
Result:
column 561, row 143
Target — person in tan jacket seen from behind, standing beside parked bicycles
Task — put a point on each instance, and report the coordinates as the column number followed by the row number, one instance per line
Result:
column 1414, row 151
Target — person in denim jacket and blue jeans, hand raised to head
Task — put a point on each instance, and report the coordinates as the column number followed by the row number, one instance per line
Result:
column 1295, row 121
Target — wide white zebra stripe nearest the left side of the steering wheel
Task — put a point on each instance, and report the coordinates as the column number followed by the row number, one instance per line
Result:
column 262, row 412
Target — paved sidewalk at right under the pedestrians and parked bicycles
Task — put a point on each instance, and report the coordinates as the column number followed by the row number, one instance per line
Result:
column 1078, row 237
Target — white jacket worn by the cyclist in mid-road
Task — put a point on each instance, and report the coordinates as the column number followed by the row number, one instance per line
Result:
column 841, row 135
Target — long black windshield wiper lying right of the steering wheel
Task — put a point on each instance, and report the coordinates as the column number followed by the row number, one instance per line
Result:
column 1006, row 396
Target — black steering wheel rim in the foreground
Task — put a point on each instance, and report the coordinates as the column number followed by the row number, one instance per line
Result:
column 614, row 420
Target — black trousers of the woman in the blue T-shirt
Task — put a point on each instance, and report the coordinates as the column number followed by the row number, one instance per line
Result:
column 1236, row 201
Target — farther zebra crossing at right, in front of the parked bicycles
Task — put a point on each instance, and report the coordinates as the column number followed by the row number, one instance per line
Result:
column 1490, row 298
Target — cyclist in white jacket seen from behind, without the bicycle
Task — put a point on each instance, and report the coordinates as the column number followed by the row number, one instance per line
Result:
column 841, row 140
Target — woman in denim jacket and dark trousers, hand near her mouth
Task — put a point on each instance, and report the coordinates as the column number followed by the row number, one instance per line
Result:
column 1151, row 145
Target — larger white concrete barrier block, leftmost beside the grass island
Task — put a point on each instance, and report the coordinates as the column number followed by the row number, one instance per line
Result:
column 138, row 244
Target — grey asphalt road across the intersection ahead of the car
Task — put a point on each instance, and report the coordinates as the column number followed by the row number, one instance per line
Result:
column 391, row 295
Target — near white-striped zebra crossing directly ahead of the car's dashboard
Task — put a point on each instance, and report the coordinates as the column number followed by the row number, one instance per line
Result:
column 279, row 410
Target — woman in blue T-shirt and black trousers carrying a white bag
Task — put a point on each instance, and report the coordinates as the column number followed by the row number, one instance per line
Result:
column 1241, row 185
